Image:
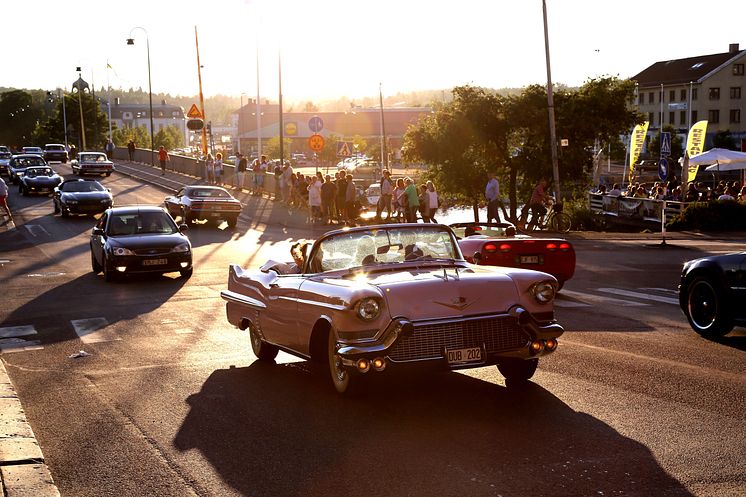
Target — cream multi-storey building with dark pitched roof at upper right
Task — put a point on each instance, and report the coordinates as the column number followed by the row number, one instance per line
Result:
column 681, row 92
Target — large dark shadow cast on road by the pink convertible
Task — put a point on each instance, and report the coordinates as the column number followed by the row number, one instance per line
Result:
column 279, row 430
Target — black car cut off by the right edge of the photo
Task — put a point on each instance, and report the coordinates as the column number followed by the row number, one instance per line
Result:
column 712, row 293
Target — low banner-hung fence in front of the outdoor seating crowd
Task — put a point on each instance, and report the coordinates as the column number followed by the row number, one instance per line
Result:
column 634, row 209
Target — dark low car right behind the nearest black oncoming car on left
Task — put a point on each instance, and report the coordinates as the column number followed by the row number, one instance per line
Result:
column 81, row 196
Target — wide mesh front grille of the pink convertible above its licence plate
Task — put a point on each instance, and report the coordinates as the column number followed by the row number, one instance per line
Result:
column 429, row 340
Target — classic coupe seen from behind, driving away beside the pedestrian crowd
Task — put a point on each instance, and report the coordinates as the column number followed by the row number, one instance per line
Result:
column 204, row 202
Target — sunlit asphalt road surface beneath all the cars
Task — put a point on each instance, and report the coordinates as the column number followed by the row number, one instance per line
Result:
column 170, row 401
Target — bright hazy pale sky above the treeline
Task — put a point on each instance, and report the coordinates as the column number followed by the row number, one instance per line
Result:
column 332, row 48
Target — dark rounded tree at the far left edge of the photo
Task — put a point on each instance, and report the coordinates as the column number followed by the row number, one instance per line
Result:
column 19, row 115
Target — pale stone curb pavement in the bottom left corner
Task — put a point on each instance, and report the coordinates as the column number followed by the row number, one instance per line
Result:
column 22, row 469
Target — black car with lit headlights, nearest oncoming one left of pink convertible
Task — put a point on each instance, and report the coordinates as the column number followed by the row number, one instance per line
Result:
column 139, row 239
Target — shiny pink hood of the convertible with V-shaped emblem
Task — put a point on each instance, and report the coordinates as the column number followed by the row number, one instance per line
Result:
column 441, row 292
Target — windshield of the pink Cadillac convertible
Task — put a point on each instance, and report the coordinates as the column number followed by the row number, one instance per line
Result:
column 383, row 246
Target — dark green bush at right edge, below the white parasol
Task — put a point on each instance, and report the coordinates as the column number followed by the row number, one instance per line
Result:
column 711, row 216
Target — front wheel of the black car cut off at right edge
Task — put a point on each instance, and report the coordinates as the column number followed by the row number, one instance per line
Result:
column 705, row 309
